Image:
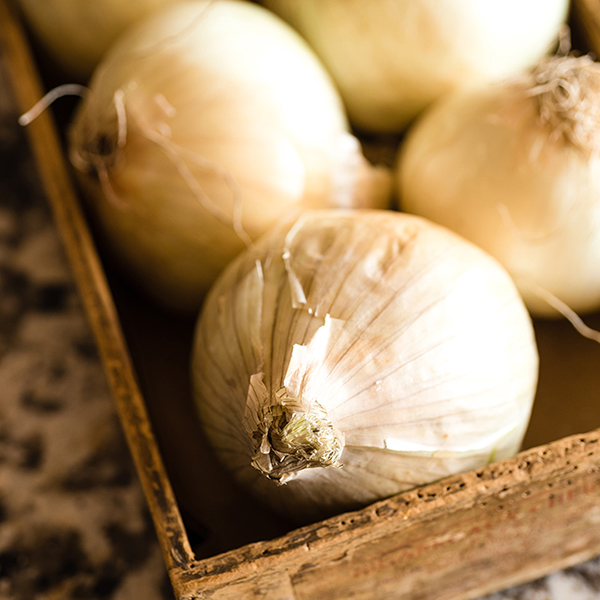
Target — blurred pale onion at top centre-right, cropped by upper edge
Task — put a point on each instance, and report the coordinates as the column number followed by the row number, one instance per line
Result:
column 392, row 58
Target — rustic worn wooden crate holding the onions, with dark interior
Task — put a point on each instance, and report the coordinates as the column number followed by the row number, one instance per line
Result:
column 457, row 539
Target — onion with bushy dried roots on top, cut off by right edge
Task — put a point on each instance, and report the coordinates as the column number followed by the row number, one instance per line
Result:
column 515, row 168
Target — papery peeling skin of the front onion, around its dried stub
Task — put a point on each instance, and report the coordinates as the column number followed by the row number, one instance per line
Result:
column 413, row 341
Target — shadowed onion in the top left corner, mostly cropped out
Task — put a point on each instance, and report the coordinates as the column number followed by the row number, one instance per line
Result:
column 77, row 33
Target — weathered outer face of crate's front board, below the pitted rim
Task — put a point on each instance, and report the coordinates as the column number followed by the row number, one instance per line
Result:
column 467, row 553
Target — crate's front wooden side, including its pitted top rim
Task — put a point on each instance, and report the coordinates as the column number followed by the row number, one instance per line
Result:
column 454, row 540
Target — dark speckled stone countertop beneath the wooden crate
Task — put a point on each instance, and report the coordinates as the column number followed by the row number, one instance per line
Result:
column 73, row 520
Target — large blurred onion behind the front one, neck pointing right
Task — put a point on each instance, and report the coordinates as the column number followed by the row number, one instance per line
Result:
column 204, row 125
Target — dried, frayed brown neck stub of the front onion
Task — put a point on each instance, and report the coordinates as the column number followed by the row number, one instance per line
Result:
column 293, row 435
